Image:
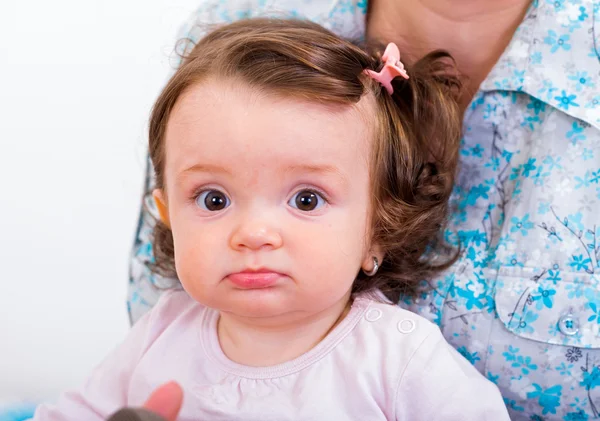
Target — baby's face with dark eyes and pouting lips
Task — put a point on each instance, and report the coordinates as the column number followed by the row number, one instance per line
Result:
column 268, row 200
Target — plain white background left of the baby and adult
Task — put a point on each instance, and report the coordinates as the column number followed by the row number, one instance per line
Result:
column 77, row 81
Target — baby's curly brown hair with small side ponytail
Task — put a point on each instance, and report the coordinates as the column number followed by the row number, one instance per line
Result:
column 417, row 131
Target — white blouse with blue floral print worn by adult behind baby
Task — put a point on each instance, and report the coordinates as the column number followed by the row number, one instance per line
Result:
column 523, row 301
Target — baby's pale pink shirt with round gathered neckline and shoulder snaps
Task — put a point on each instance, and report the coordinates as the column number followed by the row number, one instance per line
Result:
column 380, row 363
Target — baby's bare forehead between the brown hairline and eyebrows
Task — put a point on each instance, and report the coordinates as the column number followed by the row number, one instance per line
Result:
column 214, row 122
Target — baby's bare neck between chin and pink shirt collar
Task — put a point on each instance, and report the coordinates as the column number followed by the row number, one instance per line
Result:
column 263, row 344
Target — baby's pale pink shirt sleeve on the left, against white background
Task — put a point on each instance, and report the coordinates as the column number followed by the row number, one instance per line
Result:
column 106, row 389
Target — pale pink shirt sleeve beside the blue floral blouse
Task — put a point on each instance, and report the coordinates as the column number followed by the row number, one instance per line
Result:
column 440, row 384
